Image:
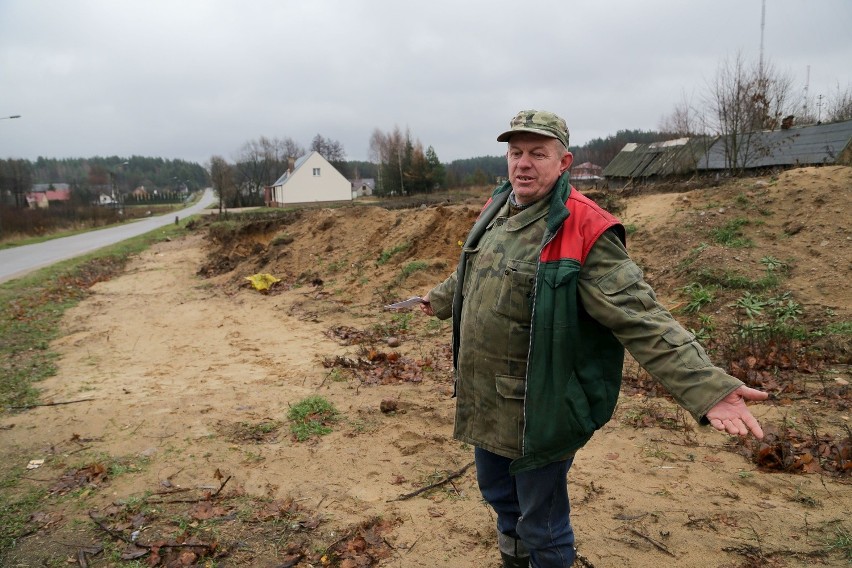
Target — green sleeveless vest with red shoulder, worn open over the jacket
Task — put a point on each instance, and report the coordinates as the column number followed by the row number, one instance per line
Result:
column 574, row 364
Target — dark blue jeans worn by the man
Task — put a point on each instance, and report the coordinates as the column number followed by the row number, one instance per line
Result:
column 532, row 505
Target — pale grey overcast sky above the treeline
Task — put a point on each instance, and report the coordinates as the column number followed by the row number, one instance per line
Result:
column 191, row 79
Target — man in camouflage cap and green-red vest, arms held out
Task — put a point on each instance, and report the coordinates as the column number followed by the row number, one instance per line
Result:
column 544, row 301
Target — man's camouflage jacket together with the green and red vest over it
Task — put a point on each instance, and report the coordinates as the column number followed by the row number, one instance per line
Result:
column 538, row 351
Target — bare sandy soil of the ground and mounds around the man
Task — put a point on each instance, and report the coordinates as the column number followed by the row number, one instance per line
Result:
column 177, row 365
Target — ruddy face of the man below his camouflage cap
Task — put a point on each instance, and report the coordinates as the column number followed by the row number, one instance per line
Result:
column 535, row 163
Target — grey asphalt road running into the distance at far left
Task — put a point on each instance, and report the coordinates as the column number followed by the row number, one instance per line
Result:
column 18, row 261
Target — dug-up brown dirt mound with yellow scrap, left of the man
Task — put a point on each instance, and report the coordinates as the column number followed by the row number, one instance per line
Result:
column 356, row 249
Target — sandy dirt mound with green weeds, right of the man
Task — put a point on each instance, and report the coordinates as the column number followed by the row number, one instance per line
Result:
column 796, row 218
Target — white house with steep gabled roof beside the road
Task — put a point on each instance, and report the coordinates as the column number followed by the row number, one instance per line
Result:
column 310, row 179
